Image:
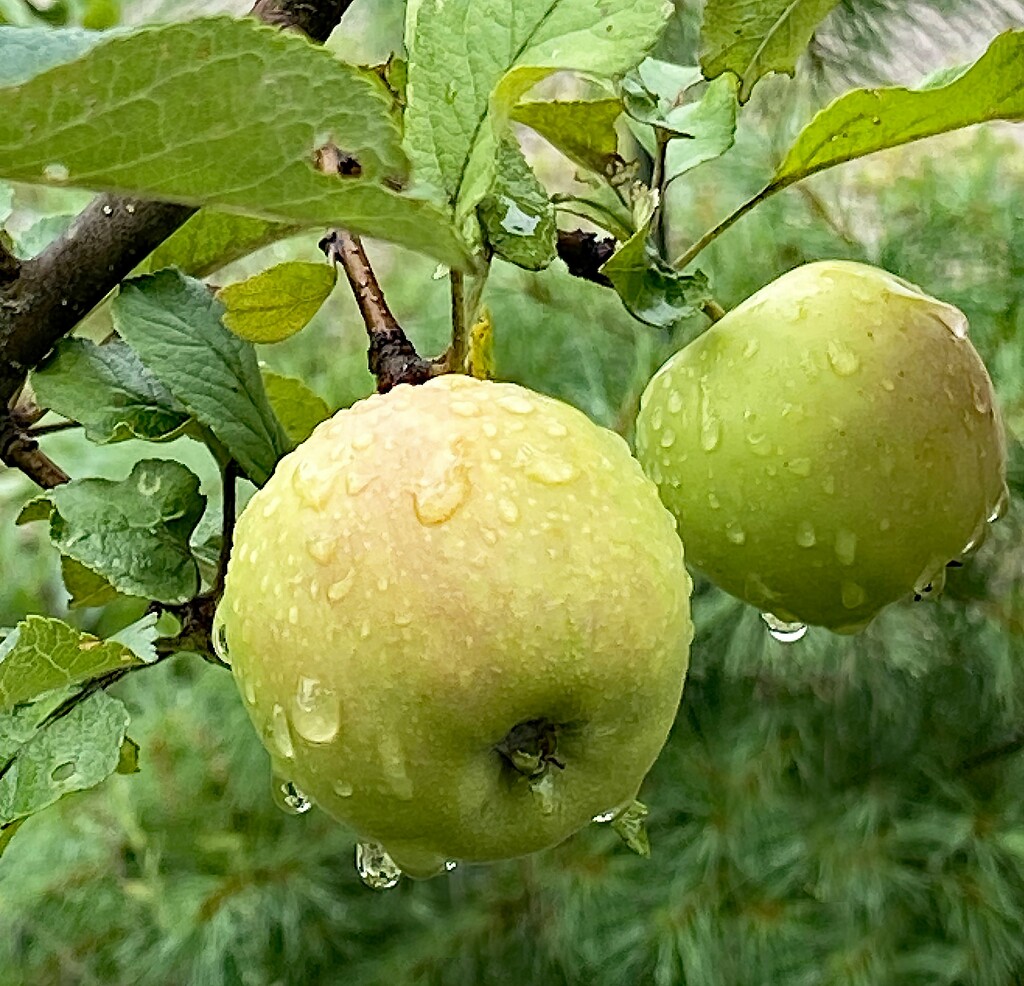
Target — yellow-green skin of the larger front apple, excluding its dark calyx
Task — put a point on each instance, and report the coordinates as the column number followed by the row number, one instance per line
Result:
column 434, row 568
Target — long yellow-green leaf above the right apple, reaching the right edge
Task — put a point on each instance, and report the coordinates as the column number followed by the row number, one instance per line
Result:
column 869, row 120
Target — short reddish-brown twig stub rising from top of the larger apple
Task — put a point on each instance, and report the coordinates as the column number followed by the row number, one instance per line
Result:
column 393, row 359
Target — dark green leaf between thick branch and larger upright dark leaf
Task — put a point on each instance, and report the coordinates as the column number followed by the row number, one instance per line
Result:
column 109, row 392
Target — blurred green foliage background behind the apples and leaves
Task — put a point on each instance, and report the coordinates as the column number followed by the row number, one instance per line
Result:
column 820, row 817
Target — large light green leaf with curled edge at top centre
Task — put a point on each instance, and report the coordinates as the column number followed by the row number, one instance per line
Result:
column 460, row 51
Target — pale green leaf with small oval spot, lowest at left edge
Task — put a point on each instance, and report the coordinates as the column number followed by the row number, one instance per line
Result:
column 73, row 753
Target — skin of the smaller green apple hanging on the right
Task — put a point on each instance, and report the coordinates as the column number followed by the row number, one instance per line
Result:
column 829, row 446
